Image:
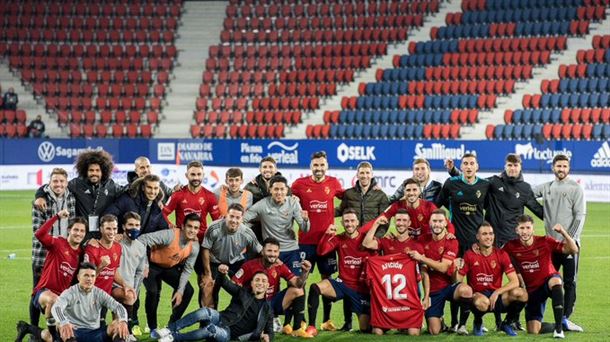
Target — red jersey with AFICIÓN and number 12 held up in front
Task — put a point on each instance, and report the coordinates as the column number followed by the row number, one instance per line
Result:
column 395, row 302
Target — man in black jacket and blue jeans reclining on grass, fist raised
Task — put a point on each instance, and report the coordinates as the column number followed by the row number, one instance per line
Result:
column 248, row 316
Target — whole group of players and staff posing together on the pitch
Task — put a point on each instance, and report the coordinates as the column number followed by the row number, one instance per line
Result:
column 112, row 239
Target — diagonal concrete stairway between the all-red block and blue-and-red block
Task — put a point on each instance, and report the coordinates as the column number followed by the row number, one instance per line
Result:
column 333, row 103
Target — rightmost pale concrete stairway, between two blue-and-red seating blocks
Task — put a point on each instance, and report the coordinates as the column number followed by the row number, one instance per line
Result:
column 532, row 86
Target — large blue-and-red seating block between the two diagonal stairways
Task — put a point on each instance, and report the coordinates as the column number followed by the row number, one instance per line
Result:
column 479, row 55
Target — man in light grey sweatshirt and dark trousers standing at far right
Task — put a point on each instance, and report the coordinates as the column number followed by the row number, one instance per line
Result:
column 564, row 204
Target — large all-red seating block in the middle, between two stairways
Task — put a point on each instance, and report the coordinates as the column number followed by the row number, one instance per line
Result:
column 278, row 60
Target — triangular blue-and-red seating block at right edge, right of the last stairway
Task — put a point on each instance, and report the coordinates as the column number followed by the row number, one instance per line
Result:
column 574, row 106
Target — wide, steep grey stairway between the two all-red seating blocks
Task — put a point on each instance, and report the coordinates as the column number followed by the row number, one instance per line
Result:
column 201, row 22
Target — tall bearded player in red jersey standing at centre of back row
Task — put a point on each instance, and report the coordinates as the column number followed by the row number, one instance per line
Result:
column 317, row 194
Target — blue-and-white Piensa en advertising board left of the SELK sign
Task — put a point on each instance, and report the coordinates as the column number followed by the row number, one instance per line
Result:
column 283, row 154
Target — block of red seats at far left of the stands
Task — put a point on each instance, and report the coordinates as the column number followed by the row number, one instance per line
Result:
column 96, row 65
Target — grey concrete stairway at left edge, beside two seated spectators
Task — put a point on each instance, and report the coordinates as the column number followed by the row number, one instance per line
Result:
column 27, row 101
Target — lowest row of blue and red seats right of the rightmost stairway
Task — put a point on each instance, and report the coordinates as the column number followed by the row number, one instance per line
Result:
column 549, row 131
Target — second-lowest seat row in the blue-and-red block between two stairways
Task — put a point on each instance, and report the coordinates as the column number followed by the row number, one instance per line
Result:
column 402, row 116
